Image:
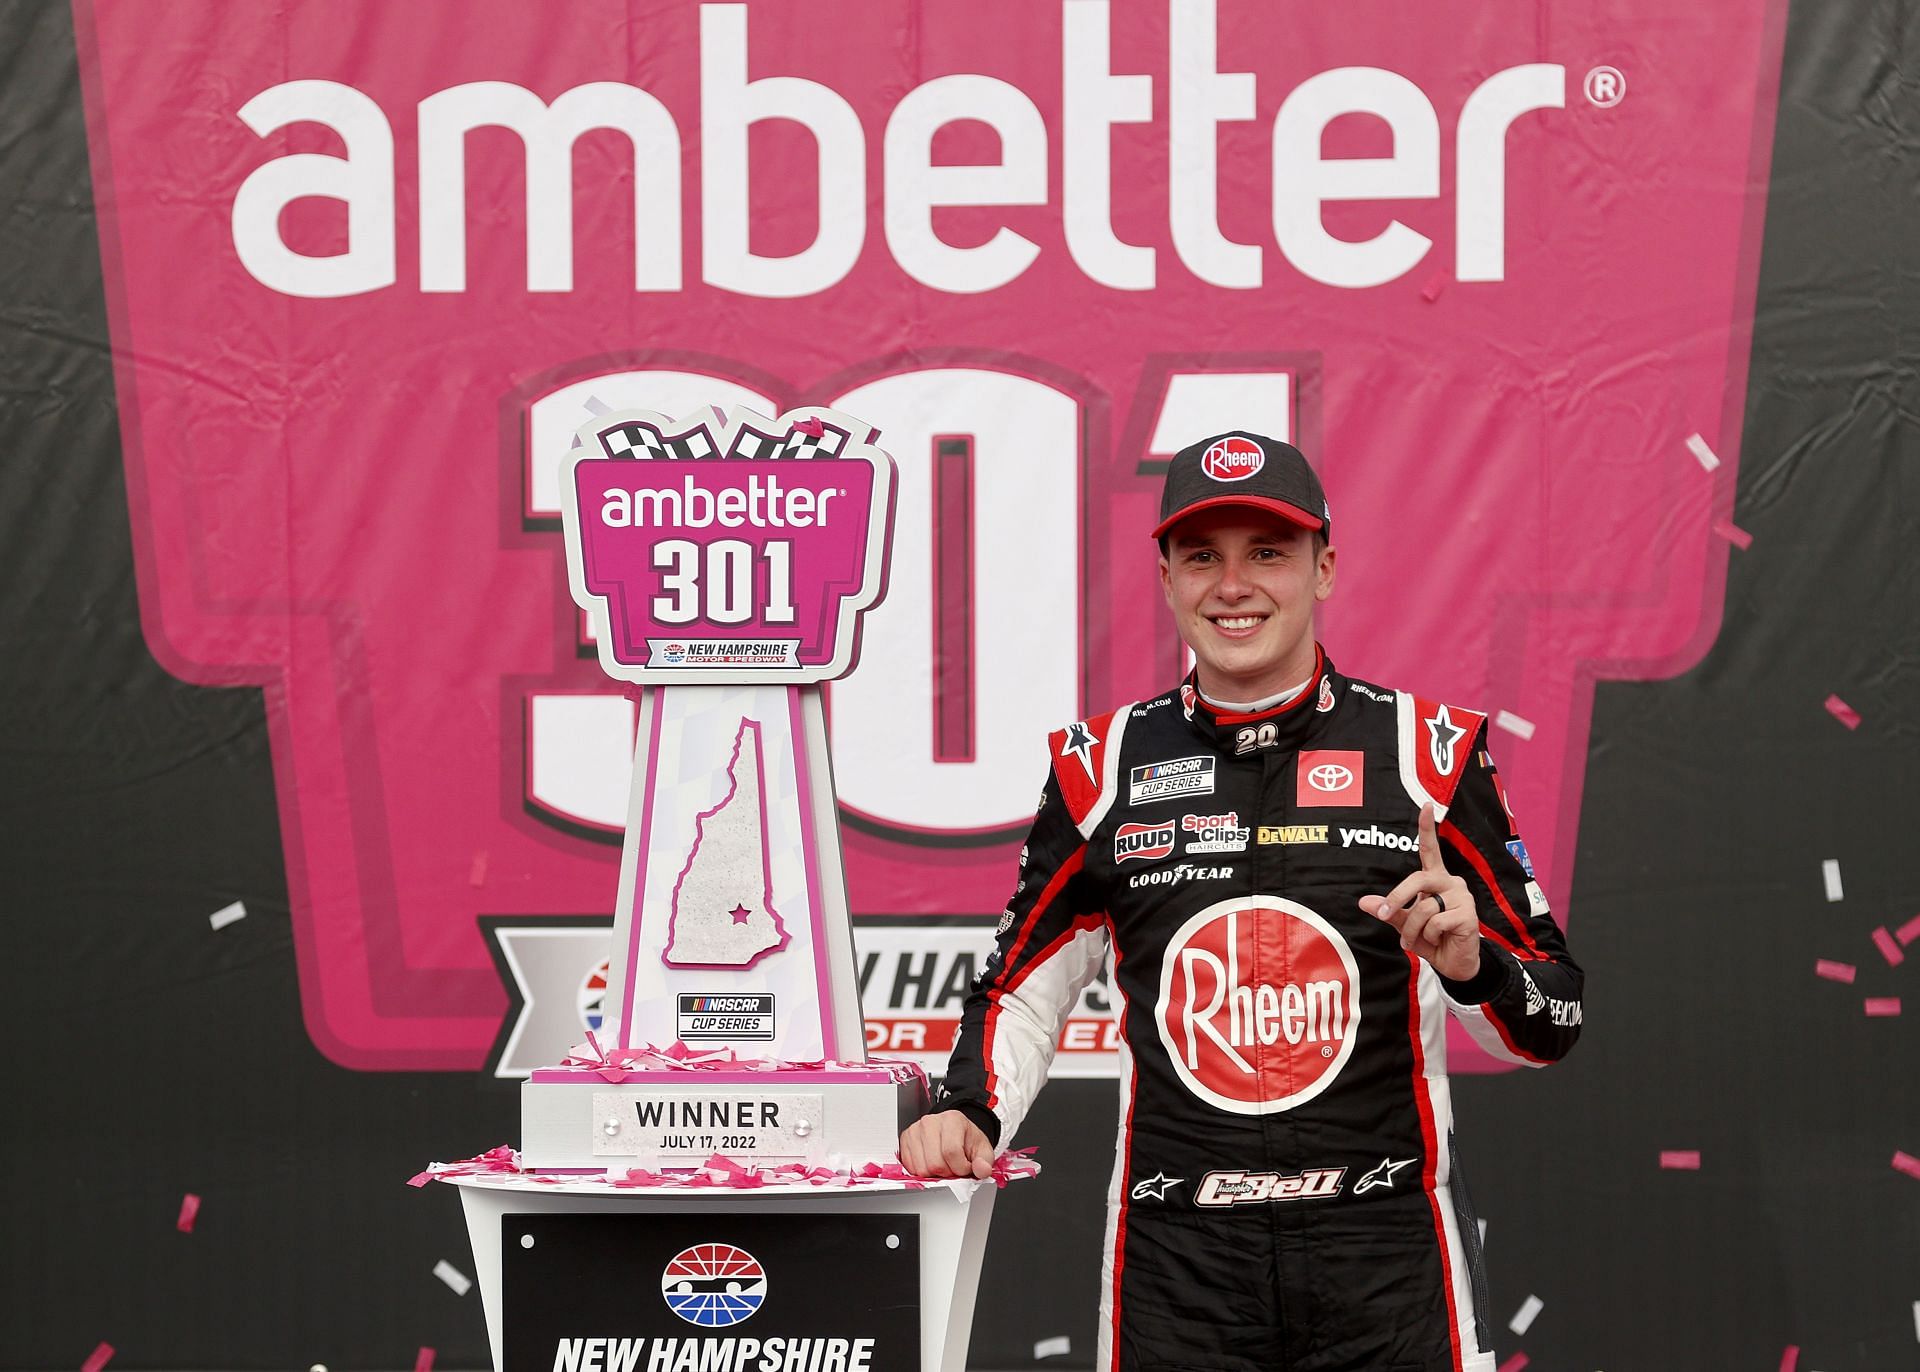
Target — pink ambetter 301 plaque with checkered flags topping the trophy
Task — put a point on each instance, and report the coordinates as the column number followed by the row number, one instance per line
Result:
column 727, row 548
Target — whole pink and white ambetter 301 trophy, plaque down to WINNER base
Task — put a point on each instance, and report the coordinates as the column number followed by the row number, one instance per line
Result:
column 723, row 563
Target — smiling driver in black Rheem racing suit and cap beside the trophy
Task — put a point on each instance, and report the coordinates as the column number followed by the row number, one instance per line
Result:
column 1299, row 874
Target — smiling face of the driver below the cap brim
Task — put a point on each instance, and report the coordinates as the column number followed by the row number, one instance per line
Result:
column 1243, row 588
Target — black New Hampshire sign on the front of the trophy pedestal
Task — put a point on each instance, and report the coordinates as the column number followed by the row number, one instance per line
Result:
column 711, row 1292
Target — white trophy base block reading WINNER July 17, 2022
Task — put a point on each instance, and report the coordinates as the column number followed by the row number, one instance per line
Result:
column 577, row 1120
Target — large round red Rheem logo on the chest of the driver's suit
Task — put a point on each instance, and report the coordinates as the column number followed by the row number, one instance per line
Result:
column 1259, row 1005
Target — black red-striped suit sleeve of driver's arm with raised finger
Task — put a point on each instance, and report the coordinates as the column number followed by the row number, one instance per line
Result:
column 1524, row 1005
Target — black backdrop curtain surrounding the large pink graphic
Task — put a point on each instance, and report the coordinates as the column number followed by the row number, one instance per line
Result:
column 133, row 805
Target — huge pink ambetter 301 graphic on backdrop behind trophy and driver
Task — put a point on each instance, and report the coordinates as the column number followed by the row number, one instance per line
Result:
column 370, row 268
